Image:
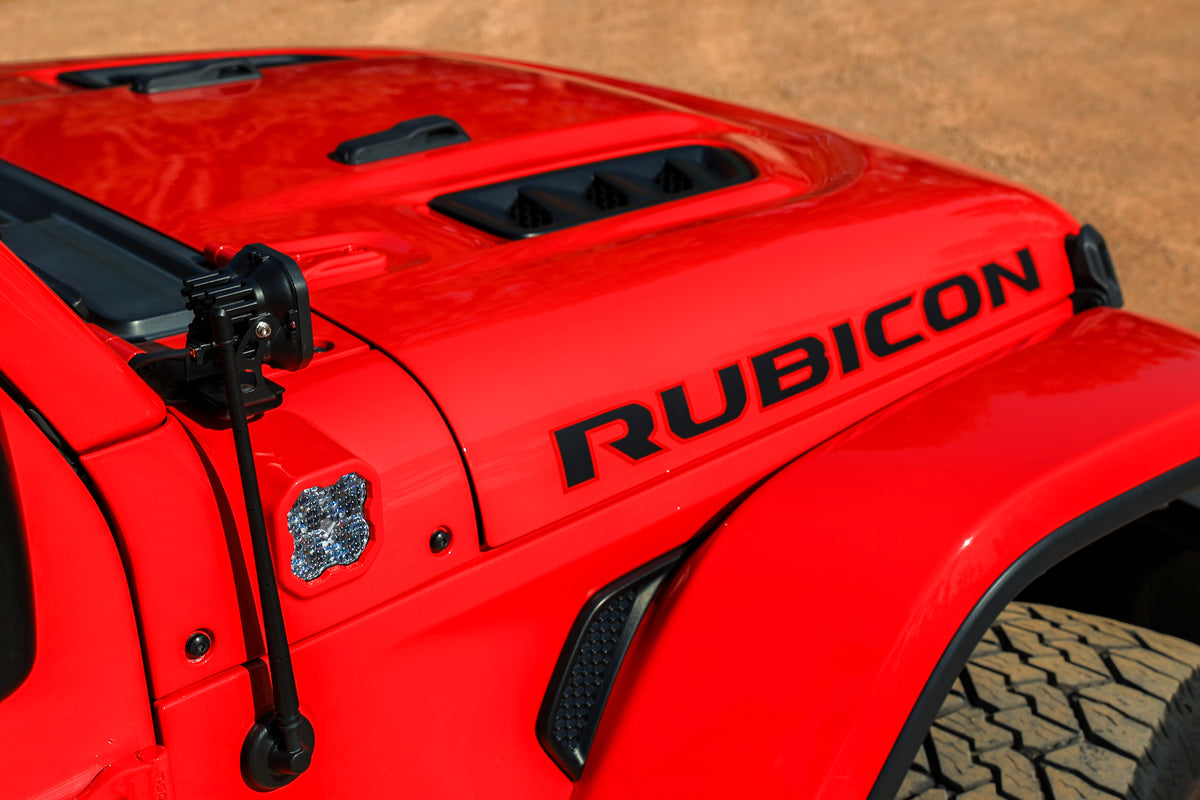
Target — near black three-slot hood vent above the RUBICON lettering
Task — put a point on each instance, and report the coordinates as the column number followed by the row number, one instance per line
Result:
column 538, row 204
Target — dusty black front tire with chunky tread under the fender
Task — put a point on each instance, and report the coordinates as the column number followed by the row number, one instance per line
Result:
column 1063, row 706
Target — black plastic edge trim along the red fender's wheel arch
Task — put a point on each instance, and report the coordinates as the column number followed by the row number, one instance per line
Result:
column 1076, row 536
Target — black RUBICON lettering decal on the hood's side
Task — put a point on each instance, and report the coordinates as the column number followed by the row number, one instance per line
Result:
column 794, row 369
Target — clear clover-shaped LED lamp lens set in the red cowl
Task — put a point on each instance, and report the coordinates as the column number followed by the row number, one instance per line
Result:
column 328, row 527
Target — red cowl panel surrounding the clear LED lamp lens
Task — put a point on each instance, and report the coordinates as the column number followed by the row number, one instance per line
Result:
column 356, row 412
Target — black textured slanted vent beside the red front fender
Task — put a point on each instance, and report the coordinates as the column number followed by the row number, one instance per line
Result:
column 591, row 659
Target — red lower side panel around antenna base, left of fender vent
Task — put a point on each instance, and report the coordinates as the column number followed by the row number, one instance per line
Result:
column 442, row 685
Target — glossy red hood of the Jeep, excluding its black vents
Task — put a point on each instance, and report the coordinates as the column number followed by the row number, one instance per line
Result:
column 519, row 340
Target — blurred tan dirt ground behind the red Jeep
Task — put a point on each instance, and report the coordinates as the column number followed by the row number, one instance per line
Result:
column 1094, row 104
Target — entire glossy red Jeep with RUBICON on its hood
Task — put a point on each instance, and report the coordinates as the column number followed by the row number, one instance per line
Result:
column 382, row 424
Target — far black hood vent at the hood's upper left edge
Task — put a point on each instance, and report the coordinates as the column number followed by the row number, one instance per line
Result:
column 151, row 79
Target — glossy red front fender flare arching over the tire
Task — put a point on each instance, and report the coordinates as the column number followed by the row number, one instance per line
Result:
column 839, row 601
